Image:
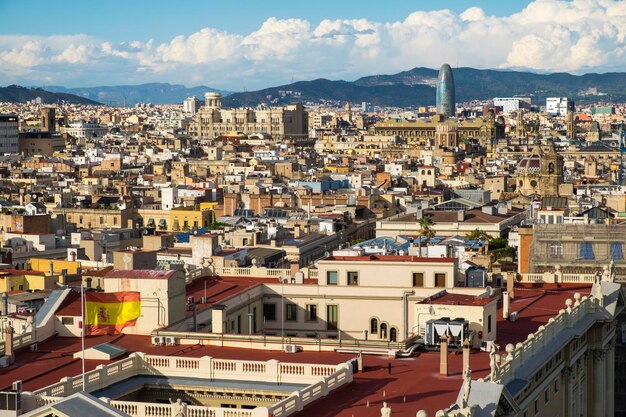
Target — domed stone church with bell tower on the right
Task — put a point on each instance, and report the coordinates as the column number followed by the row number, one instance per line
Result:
column 540, row 172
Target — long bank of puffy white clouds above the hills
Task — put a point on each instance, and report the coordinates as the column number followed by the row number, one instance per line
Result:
column 548, row 35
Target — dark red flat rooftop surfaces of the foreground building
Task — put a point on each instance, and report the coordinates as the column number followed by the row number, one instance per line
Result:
column 414, row 383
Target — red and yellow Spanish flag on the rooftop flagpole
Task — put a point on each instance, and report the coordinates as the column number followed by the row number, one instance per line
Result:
column 109, row 313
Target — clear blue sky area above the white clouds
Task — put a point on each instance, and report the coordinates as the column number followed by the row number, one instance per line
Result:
column 161, row 20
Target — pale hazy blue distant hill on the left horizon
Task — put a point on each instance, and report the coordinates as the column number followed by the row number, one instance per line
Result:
column 156, row 93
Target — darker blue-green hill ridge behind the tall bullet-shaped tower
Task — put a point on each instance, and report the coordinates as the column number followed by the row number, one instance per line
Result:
column 417, row 88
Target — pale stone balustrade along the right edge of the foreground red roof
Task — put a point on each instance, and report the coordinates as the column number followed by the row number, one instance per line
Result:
column 518, row 354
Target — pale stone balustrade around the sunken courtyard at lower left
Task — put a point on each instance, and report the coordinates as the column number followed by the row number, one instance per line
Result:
column 320, row 380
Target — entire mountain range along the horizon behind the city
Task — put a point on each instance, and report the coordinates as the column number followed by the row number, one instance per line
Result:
column 411, row 88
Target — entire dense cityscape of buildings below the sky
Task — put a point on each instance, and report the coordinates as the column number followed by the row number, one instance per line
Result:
column 300, row 256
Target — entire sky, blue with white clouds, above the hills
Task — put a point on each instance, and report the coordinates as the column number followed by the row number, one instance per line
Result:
column 252, row 44
